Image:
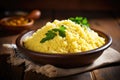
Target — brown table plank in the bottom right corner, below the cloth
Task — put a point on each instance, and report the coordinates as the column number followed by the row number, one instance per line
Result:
column 108, row 73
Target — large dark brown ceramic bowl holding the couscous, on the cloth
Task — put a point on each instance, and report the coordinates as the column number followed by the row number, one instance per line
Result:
column 63, row 60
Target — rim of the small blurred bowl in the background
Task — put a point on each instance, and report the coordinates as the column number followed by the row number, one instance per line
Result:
column 12, row 17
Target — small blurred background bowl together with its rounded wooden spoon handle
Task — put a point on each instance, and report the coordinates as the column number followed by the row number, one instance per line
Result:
column 17, row 24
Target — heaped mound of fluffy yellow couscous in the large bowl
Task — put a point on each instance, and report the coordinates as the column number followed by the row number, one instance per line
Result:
column 76, row 39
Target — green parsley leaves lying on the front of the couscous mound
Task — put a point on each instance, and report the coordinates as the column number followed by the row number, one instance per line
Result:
column 52, row 33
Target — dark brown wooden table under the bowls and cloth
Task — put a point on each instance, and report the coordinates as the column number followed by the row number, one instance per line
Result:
column 108, row 22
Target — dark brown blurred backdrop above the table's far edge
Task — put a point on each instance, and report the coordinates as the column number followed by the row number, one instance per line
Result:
column 51, row 6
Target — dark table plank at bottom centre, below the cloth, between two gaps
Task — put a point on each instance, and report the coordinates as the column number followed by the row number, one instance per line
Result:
column 33, row 76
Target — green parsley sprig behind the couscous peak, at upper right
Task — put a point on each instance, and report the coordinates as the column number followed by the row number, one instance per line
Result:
column 80, row 20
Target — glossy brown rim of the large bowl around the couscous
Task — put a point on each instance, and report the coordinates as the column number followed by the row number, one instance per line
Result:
column 105, row 46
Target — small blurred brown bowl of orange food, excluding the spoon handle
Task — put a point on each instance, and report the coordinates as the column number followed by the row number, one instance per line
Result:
column 16, row 24
